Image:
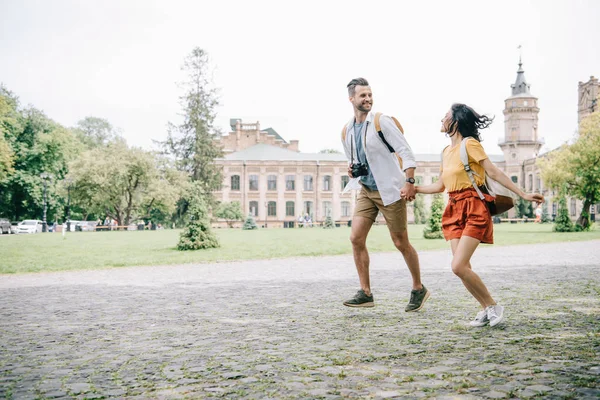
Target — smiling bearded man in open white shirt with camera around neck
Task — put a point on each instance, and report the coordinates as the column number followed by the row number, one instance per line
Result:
column 385, row 184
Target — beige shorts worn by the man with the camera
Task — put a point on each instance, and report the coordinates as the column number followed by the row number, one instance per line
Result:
column 369, row 204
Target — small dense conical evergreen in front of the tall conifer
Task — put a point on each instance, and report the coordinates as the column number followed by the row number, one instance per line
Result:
column 197, row 234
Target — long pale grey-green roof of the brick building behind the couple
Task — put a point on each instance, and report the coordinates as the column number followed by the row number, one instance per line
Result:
column 266, row 152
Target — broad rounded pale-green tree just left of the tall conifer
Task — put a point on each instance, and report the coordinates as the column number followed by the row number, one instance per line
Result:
column 125, row 183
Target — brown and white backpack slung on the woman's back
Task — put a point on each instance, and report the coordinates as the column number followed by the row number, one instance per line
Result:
column 503, row 198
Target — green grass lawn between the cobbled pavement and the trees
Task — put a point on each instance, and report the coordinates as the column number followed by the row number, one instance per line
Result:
column 86, row 250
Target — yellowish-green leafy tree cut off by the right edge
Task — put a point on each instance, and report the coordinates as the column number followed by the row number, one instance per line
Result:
column 575, row 169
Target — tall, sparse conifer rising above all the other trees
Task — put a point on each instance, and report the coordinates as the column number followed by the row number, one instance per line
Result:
column 192, row 142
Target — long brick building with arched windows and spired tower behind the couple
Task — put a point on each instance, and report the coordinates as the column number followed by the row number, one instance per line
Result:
column 278, row 184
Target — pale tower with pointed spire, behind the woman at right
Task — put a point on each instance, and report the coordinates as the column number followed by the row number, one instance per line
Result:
column 521, row 140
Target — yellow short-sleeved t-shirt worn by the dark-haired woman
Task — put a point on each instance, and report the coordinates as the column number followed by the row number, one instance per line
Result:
column 453, row 171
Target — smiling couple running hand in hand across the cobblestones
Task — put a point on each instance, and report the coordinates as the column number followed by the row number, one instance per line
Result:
column 382, row 167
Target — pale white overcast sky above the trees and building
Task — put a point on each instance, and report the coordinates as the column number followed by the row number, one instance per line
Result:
column 287, row 64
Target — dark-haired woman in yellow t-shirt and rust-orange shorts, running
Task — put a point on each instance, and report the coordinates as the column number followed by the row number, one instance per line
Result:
column 467, row 221
